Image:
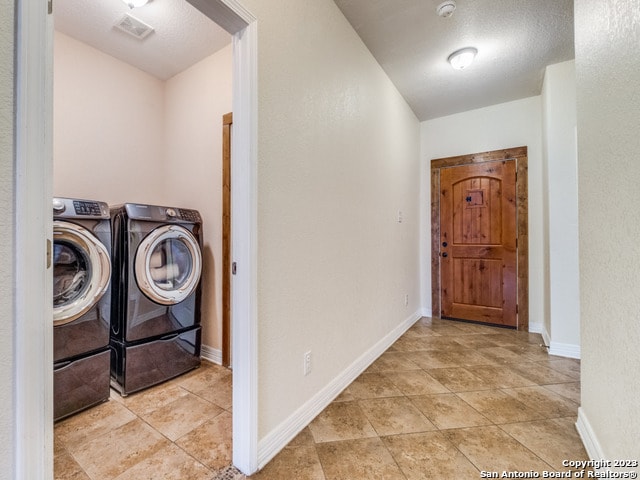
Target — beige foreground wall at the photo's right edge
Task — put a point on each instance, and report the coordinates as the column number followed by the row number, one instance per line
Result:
column 608, row 102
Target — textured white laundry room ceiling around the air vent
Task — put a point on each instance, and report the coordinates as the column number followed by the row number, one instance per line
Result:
column 182, row 36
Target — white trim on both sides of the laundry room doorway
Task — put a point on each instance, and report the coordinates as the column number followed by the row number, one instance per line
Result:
column 33, row 339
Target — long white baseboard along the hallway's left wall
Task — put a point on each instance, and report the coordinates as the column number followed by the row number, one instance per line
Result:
column 280, row 436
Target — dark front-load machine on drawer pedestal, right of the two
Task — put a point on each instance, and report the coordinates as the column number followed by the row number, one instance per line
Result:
column 155, row 329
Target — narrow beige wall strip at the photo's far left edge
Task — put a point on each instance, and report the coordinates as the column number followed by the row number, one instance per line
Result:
column 7, row 259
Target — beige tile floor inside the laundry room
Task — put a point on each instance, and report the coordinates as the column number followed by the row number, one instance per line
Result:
column 179, row 430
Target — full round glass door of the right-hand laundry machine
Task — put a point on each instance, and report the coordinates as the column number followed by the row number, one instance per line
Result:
column 168, row 264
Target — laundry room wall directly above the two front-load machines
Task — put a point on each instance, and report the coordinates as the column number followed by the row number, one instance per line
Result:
column 108, row 127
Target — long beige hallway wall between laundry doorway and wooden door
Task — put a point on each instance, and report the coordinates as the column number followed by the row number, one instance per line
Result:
column 337, row 158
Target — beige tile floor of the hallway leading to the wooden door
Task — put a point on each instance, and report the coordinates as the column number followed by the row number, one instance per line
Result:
column 448, row 400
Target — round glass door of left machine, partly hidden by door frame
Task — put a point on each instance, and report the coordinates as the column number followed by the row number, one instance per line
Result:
column 81, row 271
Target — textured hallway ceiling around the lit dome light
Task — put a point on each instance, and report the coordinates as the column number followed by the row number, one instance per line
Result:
column 515, row 39
